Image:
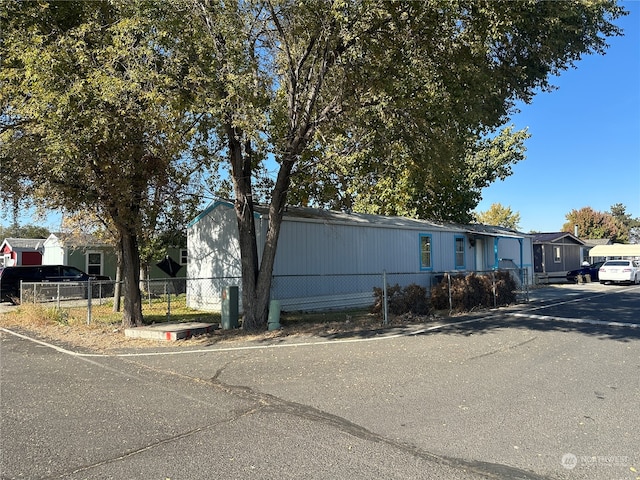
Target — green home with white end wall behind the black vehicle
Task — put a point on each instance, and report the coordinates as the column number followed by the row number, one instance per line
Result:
column 82, row 251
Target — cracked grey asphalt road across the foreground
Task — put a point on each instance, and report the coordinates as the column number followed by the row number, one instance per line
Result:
column 547, row 390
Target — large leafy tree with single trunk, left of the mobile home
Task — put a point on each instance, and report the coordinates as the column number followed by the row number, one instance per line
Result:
column 95, row 112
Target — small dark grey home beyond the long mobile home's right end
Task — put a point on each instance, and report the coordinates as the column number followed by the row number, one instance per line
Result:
column 556, row 253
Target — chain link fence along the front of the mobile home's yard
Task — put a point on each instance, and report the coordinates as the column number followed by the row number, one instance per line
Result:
column 294, row 292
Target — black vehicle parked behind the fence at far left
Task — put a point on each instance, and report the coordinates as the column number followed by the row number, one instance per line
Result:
column 10, row 278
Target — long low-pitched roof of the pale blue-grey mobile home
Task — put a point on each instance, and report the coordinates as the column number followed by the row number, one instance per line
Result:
column 363, row 219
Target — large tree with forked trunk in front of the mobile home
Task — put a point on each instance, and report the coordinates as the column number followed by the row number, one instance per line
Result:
column 404, row 90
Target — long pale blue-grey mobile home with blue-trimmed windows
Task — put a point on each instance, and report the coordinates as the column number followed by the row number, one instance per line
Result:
column 331, row 259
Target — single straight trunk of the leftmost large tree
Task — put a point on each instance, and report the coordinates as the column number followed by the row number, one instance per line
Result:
column 132, row 314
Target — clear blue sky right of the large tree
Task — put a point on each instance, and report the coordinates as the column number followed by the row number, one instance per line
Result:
column 584, row 149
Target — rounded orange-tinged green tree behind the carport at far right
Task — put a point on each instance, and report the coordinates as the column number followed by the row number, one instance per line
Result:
column 617, row 225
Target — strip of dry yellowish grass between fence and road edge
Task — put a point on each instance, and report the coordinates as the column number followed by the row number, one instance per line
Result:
column 69, row 327
